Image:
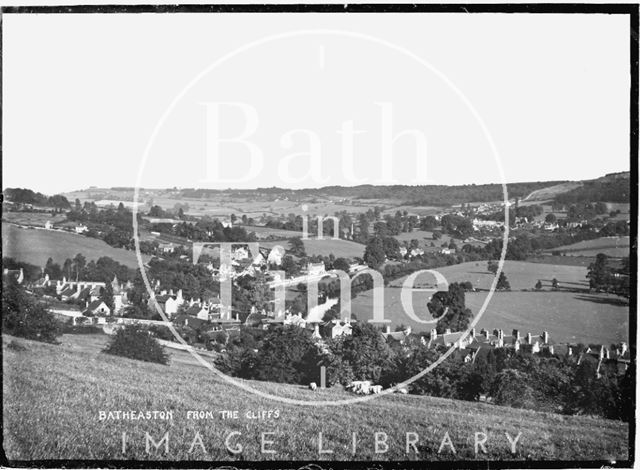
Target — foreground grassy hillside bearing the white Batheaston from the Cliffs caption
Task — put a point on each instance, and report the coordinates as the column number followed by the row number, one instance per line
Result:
column 52, row 396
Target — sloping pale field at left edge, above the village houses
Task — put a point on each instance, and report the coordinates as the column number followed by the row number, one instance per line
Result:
column 36, row 246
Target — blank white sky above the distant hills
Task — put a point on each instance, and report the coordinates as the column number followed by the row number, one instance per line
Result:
column 310, row 100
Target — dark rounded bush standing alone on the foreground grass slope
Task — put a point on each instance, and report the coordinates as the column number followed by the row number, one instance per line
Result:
column 137, row 343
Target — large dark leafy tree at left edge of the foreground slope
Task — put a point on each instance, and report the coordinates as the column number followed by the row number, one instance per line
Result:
column 23, row 316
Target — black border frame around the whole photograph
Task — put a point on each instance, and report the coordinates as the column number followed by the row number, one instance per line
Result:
column 632, row 10
